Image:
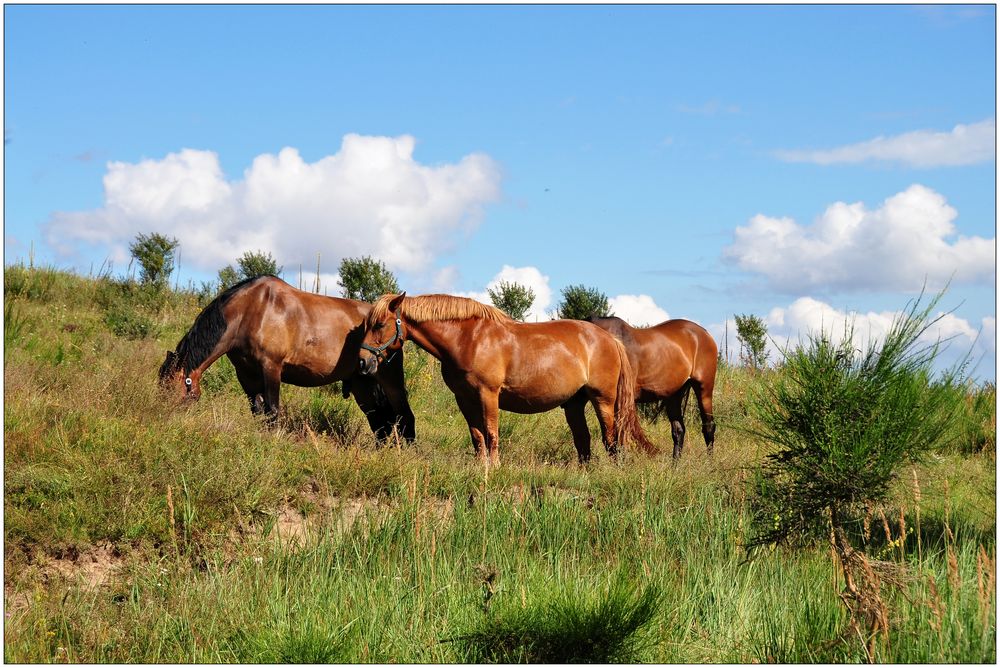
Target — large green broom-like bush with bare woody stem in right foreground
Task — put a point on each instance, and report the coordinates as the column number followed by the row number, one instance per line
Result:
column 841, row 425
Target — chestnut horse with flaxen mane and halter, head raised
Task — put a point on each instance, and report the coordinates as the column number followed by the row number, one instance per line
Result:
column 491, row 362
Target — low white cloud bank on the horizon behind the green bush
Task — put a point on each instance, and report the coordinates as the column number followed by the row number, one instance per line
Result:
column 790, row 325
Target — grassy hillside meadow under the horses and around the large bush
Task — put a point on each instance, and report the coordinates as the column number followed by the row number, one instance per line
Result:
column 140, row 529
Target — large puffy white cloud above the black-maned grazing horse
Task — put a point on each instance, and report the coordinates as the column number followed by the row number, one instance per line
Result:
column 370, row 198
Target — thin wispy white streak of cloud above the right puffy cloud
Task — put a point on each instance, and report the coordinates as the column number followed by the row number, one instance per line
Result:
column 964, row 145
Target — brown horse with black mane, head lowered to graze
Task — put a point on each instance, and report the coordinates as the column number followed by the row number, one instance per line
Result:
column 273, row 333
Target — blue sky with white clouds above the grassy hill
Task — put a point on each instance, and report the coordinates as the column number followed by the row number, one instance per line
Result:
column 802, row 163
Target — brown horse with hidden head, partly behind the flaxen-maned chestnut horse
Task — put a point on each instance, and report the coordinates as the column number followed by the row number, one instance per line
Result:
column 669, row 359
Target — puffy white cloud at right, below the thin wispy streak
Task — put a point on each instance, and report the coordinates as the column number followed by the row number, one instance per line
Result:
column 849, row 247
